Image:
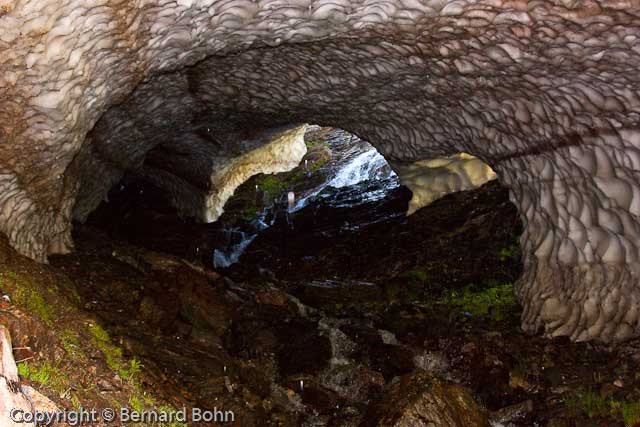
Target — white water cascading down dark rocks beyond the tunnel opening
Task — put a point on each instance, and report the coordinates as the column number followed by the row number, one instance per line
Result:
column 356, row 174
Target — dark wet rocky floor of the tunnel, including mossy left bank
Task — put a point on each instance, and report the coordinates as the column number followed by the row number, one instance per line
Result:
column 337, row 317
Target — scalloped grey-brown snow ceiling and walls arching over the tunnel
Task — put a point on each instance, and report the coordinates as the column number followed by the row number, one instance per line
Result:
column 545, row 92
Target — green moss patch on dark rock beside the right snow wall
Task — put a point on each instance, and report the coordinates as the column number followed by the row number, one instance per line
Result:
column 492, row 303
